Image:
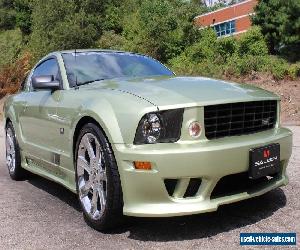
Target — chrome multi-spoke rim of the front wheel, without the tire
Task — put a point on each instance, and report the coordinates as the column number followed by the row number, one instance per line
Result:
column 91, row 176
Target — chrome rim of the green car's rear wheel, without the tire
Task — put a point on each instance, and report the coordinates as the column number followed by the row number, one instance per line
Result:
column 10, row 151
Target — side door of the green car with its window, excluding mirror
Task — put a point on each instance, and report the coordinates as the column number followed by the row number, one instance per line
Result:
column 38, row 120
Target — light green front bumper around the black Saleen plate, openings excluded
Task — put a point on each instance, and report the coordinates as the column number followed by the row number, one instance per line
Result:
column 145, row 193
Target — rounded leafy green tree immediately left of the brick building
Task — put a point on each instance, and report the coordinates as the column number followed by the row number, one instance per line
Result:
column 161, row 28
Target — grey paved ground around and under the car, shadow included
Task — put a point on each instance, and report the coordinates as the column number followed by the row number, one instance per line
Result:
column 38, row 214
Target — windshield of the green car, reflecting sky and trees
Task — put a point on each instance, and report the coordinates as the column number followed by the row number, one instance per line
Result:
column 92, row 66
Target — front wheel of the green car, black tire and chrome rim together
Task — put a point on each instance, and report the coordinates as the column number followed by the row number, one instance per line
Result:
column 97, row 179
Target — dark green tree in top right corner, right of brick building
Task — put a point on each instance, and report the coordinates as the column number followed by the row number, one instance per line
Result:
column 280, row 23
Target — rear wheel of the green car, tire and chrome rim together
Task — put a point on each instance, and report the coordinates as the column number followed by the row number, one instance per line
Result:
column 13, row 156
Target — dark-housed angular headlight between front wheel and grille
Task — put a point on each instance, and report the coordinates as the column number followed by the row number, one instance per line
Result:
column 158, row 127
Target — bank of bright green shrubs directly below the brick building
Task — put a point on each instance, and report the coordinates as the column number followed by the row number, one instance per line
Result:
column 232, row 57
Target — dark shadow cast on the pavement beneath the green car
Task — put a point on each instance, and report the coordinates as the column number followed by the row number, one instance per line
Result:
column 227, row 218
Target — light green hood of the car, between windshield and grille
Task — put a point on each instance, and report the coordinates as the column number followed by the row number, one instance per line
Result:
column 188, row 91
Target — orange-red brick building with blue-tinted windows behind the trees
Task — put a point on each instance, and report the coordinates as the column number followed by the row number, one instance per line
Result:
column 231, row 20
